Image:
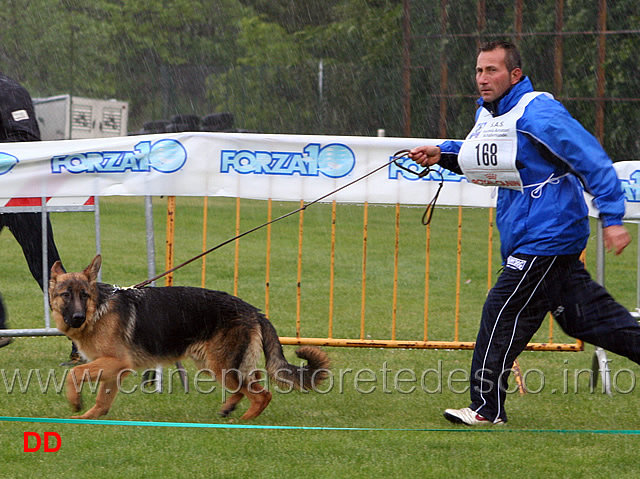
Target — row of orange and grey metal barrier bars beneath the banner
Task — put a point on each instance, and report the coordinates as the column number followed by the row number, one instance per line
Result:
column 599, row 357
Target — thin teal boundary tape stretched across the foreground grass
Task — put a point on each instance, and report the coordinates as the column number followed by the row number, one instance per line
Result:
column 102, row 422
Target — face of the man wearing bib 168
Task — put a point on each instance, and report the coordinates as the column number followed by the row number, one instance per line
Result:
column 492, row 76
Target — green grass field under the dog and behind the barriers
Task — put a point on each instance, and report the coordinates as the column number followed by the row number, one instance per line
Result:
column 391, row 398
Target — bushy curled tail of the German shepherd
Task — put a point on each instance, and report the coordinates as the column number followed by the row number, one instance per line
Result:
column 300, row 377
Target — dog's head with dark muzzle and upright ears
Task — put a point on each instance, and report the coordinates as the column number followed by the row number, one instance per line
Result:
column 72, row 296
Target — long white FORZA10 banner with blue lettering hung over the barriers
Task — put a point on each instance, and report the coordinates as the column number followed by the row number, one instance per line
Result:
column 246, row 165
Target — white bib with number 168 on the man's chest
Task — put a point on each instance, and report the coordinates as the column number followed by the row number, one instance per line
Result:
column 488, row 154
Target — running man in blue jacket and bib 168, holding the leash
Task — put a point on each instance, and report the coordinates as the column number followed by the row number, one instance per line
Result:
column 527, row 144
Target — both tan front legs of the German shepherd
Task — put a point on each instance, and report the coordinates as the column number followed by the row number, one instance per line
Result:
column 108, row 372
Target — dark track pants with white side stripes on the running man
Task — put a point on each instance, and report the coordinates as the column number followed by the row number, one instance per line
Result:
column 516, row 307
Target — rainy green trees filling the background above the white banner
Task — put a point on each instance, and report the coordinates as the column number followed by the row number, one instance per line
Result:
column 330, row 67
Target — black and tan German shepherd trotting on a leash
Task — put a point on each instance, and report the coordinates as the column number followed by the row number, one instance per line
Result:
column 120, row 330
